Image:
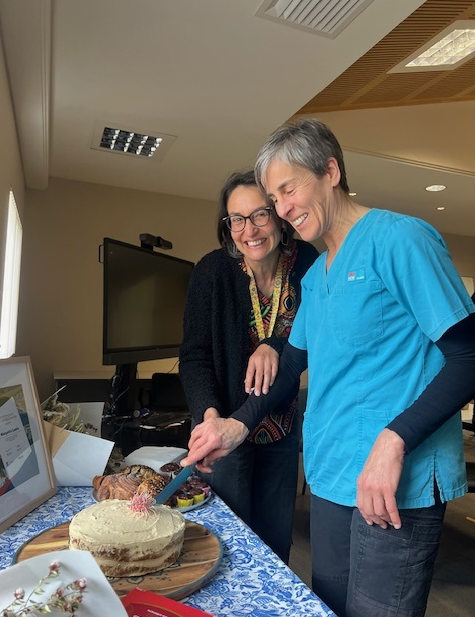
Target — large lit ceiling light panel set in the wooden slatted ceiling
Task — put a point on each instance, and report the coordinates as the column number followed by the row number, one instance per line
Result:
column 449, row 49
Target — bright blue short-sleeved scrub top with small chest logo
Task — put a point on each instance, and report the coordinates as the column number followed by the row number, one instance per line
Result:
column 369, row 327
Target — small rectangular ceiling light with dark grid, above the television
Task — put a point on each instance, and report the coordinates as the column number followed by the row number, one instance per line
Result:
column 139, row 143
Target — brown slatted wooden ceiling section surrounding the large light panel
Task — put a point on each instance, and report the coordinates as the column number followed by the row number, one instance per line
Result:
column 367, row 83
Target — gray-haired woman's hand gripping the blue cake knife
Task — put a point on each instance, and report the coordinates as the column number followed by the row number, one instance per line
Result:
column 213, row 439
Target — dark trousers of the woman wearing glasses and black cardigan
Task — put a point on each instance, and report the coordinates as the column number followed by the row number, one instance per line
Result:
column 259, row 483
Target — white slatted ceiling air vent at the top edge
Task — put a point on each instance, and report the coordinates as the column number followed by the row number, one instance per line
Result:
column 324, row 17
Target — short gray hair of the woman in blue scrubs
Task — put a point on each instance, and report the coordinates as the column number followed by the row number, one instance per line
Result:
column 308, row 143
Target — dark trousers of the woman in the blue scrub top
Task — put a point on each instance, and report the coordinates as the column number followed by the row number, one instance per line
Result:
column 362, row 570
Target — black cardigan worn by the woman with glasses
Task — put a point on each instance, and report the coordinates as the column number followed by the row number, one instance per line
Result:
column 215, row 349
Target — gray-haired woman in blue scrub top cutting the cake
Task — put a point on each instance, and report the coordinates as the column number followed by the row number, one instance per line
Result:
column 387, row 330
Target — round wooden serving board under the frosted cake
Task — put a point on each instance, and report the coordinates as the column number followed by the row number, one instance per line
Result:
column 199, row 560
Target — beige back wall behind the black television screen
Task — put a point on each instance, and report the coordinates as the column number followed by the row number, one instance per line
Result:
column 60, row 316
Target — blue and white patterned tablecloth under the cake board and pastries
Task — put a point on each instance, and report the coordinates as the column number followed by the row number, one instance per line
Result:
column 251, row 580
